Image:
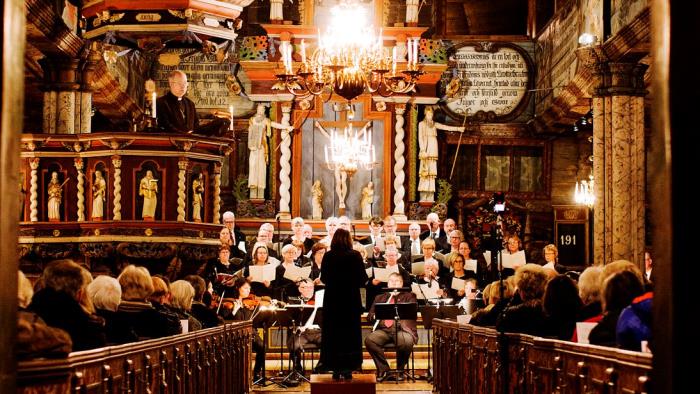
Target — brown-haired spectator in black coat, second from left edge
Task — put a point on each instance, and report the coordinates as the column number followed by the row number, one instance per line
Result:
column 58, row 304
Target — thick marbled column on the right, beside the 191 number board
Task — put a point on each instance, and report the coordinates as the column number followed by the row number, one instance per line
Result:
column 618, row 163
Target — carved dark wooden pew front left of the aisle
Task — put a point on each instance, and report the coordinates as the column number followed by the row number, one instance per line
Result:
column 215, row 360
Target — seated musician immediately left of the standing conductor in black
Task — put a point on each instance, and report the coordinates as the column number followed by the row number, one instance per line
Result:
column 308, row 332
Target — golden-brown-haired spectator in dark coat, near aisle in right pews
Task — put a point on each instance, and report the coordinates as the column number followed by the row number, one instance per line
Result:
column 527, row 317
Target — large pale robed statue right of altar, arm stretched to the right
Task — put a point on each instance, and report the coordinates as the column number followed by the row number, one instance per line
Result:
column 428, row 153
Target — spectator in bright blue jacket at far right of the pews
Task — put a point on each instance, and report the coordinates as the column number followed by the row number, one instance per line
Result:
column 634, row 323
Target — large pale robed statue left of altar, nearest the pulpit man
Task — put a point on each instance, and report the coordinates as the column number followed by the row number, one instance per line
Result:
column 259, row 130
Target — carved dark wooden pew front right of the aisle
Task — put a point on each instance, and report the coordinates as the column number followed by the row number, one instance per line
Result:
column 470, row 359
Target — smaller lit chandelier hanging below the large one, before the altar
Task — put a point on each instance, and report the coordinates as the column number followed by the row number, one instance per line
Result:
column 348, row 151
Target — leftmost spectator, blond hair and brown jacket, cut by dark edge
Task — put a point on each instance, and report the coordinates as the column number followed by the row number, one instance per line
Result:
column 34, row 338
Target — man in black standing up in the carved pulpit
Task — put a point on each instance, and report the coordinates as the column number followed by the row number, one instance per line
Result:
column 177, row 113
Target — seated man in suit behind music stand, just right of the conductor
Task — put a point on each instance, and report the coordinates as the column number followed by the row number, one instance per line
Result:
column 404, row 336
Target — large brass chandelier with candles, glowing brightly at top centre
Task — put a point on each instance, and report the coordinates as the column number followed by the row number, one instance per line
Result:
column 348, row 60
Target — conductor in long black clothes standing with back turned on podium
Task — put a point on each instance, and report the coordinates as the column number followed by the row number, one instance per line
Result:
column 343, row 272
